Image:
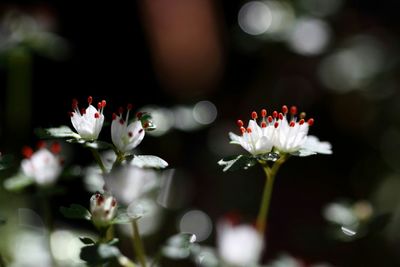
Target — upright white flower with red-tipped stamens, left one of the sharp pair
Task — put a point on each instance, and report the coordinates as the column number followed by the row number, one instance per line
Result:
column 88, row 122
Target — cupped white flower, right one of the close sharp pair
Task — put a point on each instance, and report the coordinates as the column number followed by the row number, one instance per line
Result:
column 126, row 137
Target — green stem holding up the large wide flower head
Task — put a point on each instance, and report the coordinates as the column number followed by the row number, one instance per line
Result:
column 270, row 173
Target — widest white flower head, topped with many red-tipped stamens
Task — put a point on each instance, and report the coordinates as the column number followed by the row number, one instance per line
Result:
column 283, row 132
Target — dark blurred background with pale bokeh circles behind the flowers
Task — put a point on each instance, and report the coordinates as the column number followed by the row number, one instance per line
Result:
column 198, row 66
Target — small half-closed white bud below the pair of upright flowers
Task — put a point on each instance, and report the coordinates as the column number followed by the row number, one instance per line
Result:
column 103, row 208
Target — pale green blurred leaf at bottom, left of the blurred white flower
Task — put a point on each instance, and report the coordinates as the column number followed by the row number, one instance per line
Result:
column 179, row 246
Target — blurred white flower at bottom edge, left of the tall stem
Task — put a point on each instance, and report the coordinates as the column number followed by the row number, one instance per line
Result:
column 239, row 245
